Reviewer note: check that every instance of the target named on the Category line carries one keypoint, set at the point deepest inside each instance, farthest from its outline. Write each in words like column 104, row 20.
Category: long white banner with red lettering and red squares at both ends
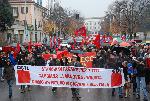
column 72, row 77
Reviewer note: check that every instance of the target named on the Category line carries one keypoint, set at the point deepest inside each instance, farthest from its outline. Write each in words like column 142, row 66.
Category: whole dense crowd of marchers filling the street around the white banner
column 133, row 62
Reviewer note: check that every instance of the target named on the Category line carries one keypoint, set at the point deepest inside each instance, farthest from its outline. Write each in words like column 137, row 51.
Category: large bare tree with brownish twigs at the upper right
column 126, row 15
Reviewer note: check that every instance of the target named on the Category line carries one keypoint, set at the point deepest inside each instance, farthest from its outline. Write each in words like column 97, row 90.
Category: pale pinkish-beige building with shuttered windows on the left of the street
column 28, row 24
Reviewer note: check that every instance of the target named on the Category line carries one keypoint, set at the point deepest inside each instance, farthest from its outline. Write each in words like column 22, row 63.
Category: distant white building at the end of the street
column 93, row 25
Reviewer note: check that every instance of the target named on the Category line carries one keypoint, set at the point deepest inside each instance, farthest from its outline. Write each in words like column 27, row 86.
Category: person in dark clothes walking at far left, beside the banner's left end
column 9, row 75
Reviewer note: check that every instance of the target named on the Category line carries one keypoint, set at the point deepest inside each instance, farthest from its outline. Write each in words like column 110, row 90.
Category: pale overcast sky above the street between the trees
column 88, row 8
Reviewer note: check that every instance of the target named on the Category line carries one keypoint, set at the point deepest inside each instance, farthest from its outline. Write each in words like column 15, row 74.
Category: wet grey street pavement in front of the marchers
column 39, row 93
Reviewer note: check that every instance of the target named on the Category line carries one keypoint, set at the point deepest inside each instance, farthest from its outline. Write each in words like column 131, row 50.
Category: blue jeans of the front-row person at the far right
column 141, row 86
